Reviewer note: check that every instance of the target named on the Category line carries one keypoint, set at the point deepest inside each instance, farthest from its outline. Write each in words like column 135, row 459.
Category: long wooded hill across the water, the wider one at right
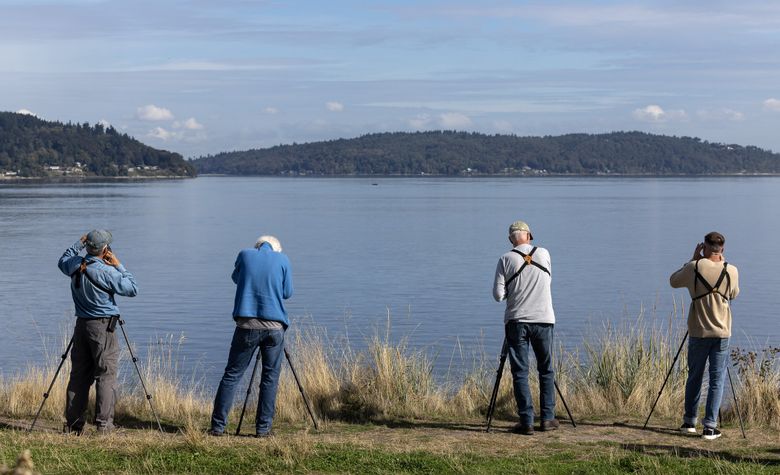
column 460, row 153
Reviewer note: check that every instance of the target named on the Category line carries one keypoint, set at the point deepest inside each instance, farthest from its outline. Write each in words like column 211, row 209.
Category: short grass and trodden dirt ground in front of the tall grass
column 403, row 446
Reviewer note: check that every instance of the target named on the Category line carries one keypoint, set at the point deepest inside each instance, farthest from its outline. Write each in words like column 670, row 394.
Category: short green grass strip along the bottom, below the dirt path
column 147, row 452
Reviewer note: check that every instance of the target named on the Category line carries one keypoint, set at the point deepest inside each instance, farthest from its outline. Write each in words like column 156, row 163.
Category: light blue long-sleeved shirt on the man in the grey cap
column 90, row 301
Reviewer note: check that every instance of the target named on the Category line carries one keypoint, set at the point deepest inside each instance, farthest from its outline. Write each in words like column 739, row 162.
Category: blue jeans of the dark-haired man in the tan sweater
column 699, row 351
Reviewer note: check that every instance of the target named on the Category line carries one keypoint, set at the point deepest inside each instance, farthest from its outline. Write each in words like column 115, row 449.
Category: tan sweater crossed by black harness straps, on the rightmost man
column 709, row 316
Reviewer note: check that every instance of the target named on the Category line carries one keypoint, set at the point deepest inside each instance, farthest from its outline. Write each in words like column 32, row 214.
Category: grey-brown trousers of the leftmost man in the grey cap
column 94, row 358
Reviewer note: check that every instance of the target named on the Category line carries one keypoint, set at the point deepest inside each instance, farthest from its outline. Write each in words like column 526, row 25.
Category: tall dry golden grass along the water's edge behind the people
column 617, row 374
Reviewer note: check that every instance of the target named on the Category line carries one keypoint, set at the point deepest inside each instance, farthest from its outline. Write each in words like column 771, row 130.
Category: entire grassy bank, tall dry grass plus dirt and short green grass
column 382, row 410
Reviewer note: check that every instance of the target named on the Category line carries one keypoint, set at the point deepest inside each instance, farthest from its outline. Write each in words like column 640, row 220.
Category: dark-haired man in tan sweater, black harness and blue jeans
column 712, row 283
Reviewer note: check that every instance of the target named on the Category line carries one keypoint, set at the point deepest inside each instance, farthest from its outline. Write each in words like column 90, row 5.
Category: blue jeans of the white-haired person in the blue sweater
column 271, row 343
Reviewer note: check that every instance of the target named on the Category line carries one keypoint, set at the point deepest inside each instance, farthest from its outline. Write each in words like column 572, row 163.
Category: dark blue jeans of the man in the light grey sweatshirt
column 540, row 337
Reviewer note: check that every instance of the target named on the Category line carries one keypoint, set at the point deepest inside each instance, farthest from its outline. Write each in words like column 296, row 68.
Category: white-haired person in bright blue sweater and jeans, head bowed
column 263, row 281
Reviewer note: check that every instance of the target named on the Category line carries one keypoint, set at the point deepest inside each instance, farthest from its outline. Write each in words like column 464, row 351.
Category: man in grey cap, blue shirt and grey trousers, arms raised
column 95, row 279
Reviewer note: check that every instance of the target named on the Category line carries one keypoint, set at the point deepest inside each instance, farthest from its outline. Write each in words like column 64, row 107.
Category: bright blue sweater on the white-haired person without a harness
column 264, row 280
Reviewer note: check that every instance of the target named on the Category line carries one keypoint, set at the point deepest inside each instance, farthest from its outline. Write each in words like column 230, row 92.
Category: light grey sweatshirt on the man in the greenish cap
column 528, row 298
